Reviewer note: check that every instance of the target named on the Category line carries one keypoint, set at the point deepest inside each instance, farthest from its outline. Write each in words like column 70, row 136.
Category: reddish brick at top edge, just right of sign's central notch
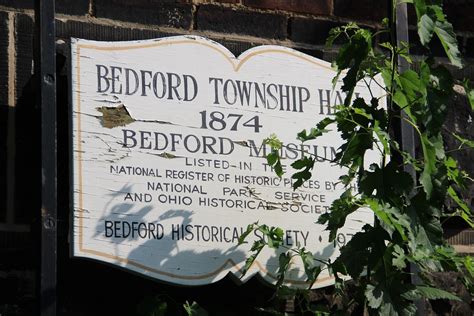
column 317, row 7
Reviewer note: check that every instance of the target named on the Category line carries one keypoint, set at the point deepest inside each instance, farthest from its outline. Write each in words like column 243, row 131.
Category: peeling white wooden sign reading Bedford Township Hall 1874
column 169, row 165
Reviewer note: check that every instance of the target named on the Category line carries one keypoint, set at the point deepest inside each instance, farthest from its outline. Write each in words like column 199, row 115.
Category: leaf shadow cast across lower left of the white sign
column 158, row 245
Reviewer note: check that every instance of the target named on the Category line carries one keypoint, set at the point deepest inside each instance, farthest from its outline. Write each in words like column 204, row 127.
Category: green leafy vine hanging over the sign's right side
column 408, row 211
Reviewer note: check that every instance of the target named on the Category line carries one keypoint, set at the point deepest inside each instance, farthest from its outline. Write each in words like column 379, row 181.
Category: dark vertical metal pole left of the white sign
column 46, row 74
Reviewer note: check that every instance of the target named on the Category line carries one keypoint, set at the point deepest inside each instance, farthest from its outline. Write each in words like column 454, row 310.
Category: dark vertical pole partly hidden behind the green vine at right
column 407, row 133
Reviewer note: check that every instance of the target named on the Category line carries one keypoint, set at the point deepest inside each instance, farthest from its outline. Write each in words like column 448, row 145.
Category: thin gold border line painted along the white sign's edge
column 236, row 65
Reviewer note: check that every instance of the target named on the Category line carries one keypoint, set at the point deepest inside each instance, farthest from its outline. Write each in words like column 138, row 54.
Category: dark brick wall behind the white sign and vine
column 237, row 24
